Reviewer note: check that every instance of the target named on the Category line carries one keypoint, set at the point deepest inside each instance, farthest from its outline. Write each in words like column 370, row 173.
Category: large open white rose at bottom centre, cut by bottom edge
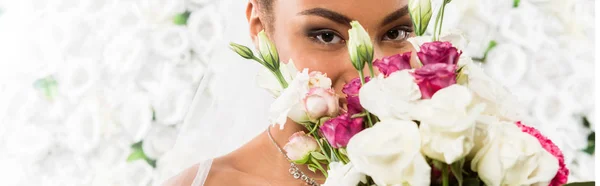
column 390, row 152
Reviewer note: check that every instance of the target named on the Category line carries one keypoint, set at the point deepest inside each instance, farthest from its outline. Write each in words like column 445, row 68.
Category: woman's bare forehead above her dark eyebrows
column 365, row 11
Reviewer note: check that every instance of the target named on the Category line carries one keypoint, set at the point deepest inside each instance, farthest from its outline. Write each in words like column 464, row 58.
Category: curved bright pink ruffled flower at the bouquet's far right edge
column 563, row 173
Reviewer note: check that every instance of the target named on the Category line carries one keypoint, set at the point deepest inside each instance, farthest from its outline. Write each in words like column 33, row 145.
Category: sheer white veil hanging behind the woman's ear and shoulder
column 228, row 109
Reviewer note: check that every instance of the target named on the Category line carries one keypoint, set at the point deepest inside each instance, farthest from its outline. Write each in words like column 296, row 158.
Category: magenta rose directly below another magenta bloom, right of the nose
column 434, row 77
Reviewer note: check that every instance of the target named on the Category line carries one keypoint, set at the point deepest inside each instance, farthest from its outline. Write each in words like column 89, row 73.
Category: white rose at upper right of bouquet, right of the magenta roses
column 499, row 101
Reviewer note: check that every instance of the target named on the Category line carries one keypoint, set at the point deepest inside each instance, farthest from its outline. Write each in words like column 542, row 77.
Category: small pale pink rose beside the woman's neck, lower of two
column 300, row 146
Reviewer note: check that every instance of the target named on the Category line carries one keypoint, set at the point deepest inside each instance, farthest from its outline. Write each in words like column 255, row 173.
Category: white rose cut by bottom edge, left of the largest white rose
column 343, row 175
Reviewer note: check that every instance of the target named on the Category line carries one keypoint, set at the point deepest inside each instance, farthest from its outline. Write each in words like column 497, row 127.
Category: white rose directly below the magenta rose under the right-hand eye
column 391, row 97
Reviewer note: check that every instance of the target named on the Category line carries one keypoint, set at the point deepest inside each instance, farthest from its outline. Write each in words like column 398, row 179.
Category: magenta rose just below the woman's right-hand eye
column 391, row 64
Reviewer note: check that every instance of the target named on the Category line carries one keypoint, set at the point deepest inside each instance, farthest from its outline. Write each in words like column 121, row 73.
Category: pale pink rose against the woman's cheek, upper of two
column 321, row 102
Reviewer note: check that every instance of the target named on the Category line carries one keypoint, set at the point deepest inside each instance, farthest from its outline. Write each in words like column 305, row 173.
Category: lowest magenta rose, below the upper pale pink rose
column 339, row 130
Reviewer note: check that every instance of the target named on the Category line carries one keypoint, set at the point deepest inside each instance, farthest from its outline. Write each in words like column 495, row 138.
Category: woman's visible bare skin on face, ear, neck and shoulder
column 313, row 33
